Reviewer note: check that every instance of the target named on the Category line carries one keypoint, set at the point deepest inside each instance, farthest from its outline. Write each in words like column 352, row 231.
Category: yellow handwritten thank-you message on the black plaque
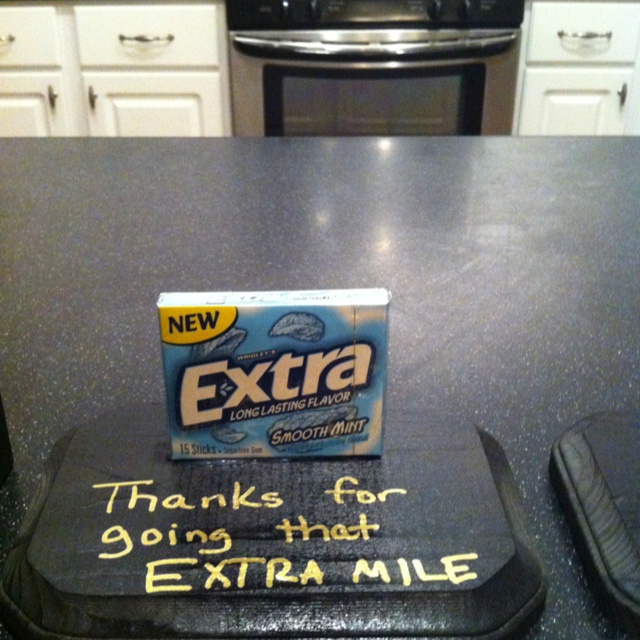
column 230, row 573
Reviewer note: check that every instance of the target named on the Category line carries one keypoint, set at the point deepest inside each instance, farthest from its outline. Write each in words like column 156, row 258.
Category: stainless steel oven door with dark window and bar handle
column 373, row 83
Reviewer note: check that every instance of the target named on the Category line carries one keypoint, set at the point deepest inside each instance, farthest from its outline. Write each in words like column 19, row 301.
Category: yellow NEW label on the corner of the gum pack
column 190, row 325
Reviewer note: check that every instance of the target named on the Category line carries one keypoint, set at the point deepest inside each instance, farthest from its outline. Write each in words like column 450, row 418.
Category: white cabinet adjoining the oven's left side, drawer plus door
column 152, row 72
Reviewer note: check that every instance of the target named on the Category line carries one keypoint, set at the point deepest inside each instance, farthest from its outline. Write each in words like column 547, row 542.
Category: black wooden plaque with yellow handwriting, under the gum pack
column 425, row 541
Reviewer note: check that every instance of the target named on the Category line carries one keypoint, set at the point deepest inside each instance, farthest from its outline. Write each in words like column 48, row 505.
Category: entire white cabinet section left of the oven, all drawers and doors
column 113, row 70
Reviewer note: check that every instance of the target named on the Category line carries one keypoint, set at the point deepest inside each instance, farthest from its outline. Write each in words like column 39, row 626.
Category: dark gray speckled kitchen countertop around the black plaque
column 513, row 263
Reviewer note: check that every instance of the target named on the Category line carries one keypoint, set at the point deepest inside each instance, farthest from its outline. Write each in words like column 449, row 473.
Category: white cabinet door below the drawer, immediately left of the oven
column 154, row 104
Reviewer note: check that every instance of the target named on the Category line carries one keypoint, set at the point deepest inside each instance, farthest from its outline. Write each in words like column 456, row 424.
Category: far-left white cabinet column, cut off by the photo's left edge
column 32, row 99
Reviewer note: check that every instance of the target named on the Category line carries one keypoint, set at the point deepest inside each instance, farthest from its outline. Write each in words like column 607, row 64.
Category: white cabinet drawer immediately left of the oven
column 147, row 36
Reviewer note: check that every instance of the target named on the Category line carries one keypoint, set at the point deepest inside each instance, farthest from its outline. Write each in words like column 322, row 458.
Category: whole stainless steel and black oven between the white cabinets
column 373, row 67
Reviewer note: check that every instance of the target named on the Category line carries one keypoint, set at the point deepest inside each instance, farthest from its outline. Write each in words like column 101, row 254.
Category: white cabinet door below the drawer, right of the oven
column 568, row 101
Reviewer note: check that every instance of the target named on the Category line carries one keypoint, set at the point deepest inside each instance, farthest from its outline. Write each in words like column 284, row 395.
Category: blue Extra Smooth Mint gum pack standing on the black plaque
column 275, row 374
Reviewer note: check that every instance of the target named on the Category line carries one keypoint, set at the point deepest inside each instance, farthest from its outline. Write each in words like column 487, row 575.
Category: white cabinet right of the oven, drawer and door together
column 579, row 68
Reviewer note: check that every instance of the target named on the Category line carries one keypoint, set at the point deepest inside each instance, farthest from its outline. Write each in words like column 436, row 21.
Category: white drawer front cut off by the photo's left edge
column 28, row 37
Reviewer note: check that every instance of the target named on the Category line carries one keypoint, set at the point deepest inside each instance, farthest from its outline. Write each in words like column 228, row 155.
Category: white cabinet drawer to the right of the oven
column 584, row 32
